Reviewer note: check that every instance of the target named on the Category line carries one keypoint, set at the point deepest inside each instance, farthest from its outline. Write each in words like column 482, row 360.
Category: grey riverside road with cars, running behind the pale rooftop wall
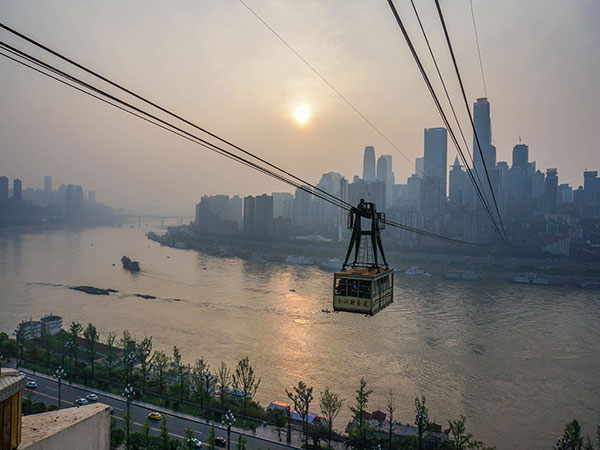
column 47, row 392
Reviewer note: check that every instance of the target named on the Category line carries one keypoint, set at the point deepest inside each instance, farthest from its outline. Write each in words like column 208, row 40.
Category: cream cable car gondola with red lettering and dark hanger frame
column 364, row 286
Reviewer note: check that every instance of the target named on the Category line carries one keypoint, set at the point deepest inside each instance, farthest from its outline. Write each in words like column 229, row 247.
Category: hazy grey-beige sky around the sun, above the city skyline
column 215, row 63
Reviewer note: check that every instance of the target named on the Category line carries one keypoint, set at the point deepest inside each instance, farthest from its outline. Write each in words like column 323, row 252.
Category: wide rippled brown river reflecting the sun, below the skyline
column 518, row 361
